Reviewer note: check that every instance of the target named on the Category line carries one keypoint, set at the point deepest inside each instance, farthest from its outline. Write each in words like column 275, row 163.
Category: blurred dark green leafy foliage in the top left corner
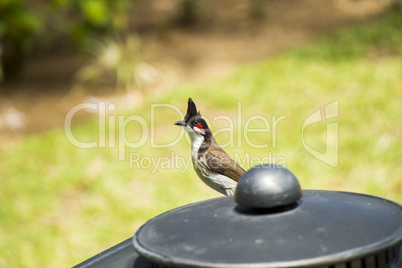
column 27, row 24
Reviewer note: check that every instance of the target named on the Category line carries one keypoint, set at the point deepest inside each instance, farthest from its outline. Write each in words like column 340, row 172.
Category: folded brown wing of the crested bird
column 219, row 161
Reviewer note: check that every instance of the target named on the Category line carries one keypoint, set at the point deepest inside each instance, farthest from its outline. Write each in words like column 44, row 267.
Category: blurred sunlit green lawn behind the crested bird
column 61, row 204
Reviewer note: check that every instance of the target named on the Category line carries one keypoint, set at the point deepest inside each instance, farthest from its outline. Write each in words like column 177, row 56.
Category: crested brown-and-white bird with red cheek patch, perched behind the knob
column 211, row 163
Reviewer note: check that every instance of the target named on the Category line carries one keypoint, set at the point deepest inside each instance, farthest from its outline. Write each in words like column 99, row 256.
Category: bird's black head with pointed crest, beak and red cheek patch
column 193, row 120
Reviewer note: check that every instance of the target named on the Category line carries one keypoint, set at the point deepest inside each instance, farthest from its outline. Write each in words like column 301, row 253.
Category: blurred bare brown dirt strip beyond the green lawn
column 226, row 34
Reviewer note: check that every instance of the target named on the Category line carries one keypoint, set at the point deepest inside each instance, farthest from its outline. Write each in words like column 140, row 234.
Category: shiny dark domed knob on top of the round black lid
column 267, row 186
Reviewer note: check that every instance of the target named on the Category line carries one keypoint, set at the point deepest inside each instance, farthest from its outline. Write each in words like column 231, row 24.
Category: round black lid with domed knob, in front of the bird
column 322, row 228
